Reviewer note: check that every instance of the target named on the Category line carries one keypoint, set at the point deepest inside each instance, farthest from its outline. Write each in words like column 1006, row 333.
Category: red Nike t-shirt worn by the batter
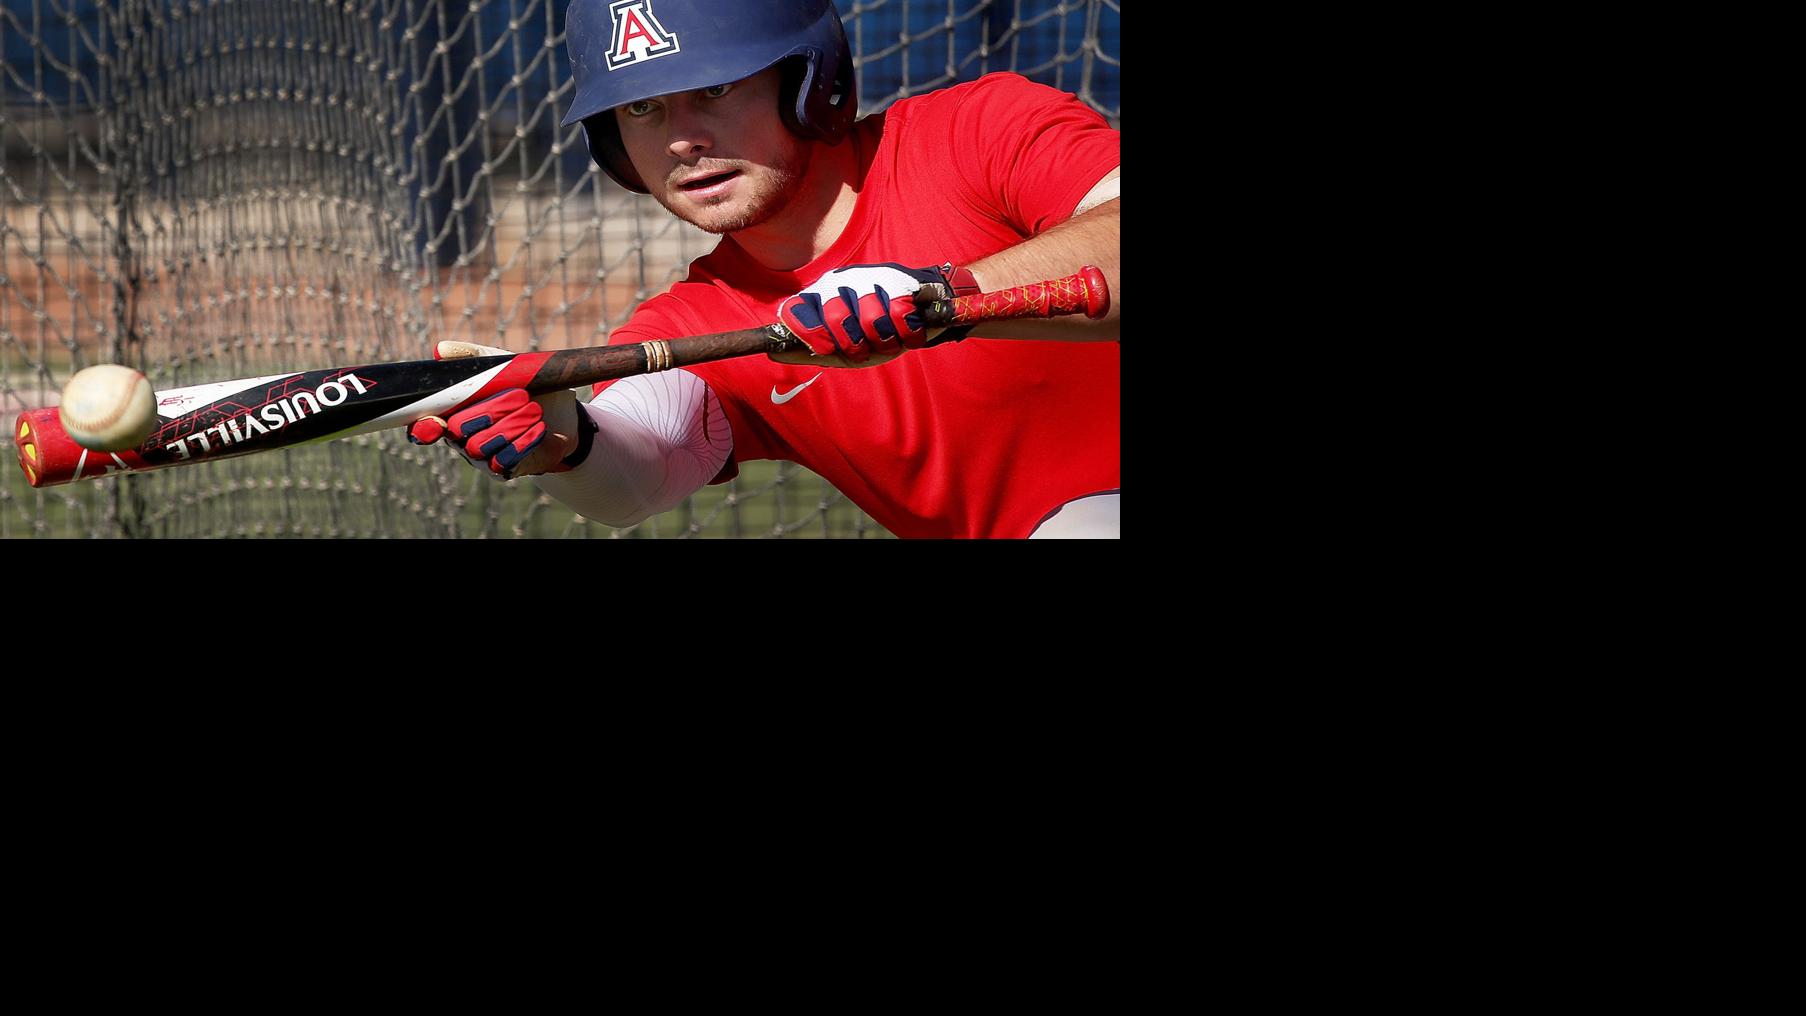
column 982, row 438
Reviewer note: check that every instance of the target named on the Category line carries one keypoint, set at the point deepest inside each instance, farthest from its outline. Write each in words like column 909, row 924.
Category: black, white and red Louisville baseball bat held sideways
column 227, row 420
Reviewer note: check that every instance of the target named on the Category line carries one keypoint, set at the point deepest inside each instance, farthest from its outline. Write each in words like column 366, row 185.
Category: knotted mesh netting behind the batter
column 234, row 189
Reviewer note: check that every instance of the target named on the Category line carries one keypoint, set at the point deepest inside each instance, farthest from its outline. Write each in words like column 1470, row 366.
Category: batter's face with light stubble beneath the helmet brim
column 718, row 158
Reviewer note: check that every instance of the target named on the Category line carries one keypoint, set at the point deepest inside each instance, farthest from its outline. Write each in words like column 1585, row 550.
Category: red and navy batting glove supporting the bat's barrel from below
column 507, row 434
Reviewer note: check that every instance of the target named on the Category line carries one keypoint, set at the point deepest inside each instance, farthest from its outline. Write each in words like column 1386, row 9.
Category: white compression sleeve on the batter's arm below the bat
column 658, row 439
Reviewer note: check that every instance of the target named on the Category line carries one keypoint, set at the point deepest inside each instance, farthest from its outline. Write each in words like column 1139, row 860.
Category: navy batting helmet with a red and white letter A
column 624, row 51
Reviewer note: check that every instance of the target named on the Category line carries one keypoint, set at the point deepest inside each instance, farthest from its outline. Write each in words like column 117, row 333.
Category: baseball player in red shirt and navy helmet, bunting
column 740, row 116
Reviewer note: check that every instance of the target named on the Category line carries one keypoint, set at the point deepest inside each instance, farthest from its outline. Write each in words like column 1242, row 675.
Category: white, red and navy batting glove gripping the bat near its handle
column 870, row 309
